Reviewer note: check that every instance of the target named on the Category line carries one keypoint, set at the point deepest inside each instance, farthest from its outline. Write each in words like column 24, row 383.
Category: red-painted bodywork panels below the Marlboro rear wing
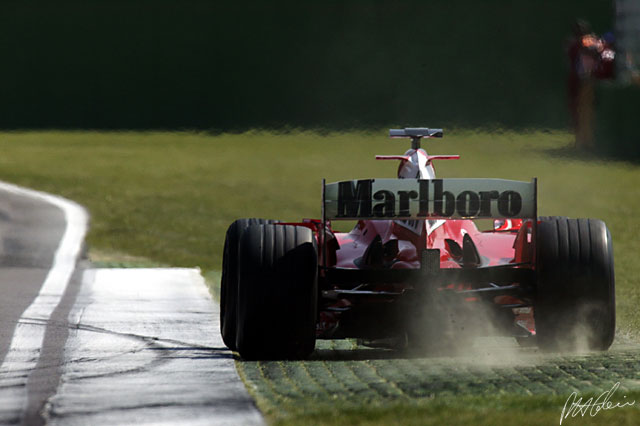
column 509, row 243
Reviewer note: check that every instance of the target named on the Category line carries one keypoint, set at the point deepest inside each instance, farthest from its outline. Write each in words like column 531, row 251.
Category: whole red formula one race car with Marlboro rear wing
column 416, row 270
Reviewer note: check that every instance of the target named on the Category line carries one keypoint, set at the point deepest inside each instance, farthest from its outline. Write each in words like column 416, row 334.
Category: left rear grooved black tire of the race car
column 277, row 292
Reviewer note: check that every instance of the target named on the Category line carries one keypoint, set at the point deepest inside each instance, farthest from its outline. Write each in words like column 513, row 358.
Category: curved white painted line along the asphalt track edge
column 28, row 336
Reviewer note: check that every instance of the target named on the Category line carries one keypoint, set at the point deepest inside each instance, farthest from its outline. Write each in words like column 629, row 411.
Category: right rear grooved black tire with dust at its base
column 575, row 300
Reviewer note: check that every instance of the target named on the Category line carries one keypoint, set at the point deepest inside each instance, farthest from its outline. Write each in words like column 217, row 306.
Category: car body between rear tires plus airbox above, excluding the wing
column 368, row 277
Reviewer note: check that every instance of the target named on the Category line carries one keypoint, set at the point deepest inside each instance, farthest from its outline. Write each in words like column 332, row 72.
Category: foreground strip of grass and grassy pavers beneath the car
column 344, row 383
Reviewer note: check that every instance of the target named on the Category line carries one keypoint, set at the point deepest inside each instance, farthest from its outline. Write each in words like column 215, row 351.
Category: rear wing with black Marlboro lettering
column 429, row 199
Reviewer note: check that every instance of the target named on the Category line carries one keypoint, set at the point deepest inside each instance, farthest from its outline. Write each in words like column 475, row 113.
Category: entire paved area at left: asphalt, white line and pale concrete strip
column 101, row 346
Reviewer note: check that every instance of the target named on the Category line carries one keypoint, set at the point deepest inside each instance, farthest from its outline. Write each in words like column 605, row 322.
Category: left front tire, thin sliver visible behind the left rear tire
column 229, row 281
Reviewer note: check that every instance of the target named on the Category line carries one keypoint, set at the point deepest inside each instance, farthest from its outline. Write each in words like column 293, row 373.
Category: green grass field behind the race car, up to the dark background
column 169, row 197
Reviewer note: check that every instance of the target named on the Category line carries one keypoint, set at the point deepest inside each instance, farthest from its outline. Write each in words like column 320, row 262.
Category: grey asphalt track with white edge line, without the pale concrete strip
column 37, row 263
